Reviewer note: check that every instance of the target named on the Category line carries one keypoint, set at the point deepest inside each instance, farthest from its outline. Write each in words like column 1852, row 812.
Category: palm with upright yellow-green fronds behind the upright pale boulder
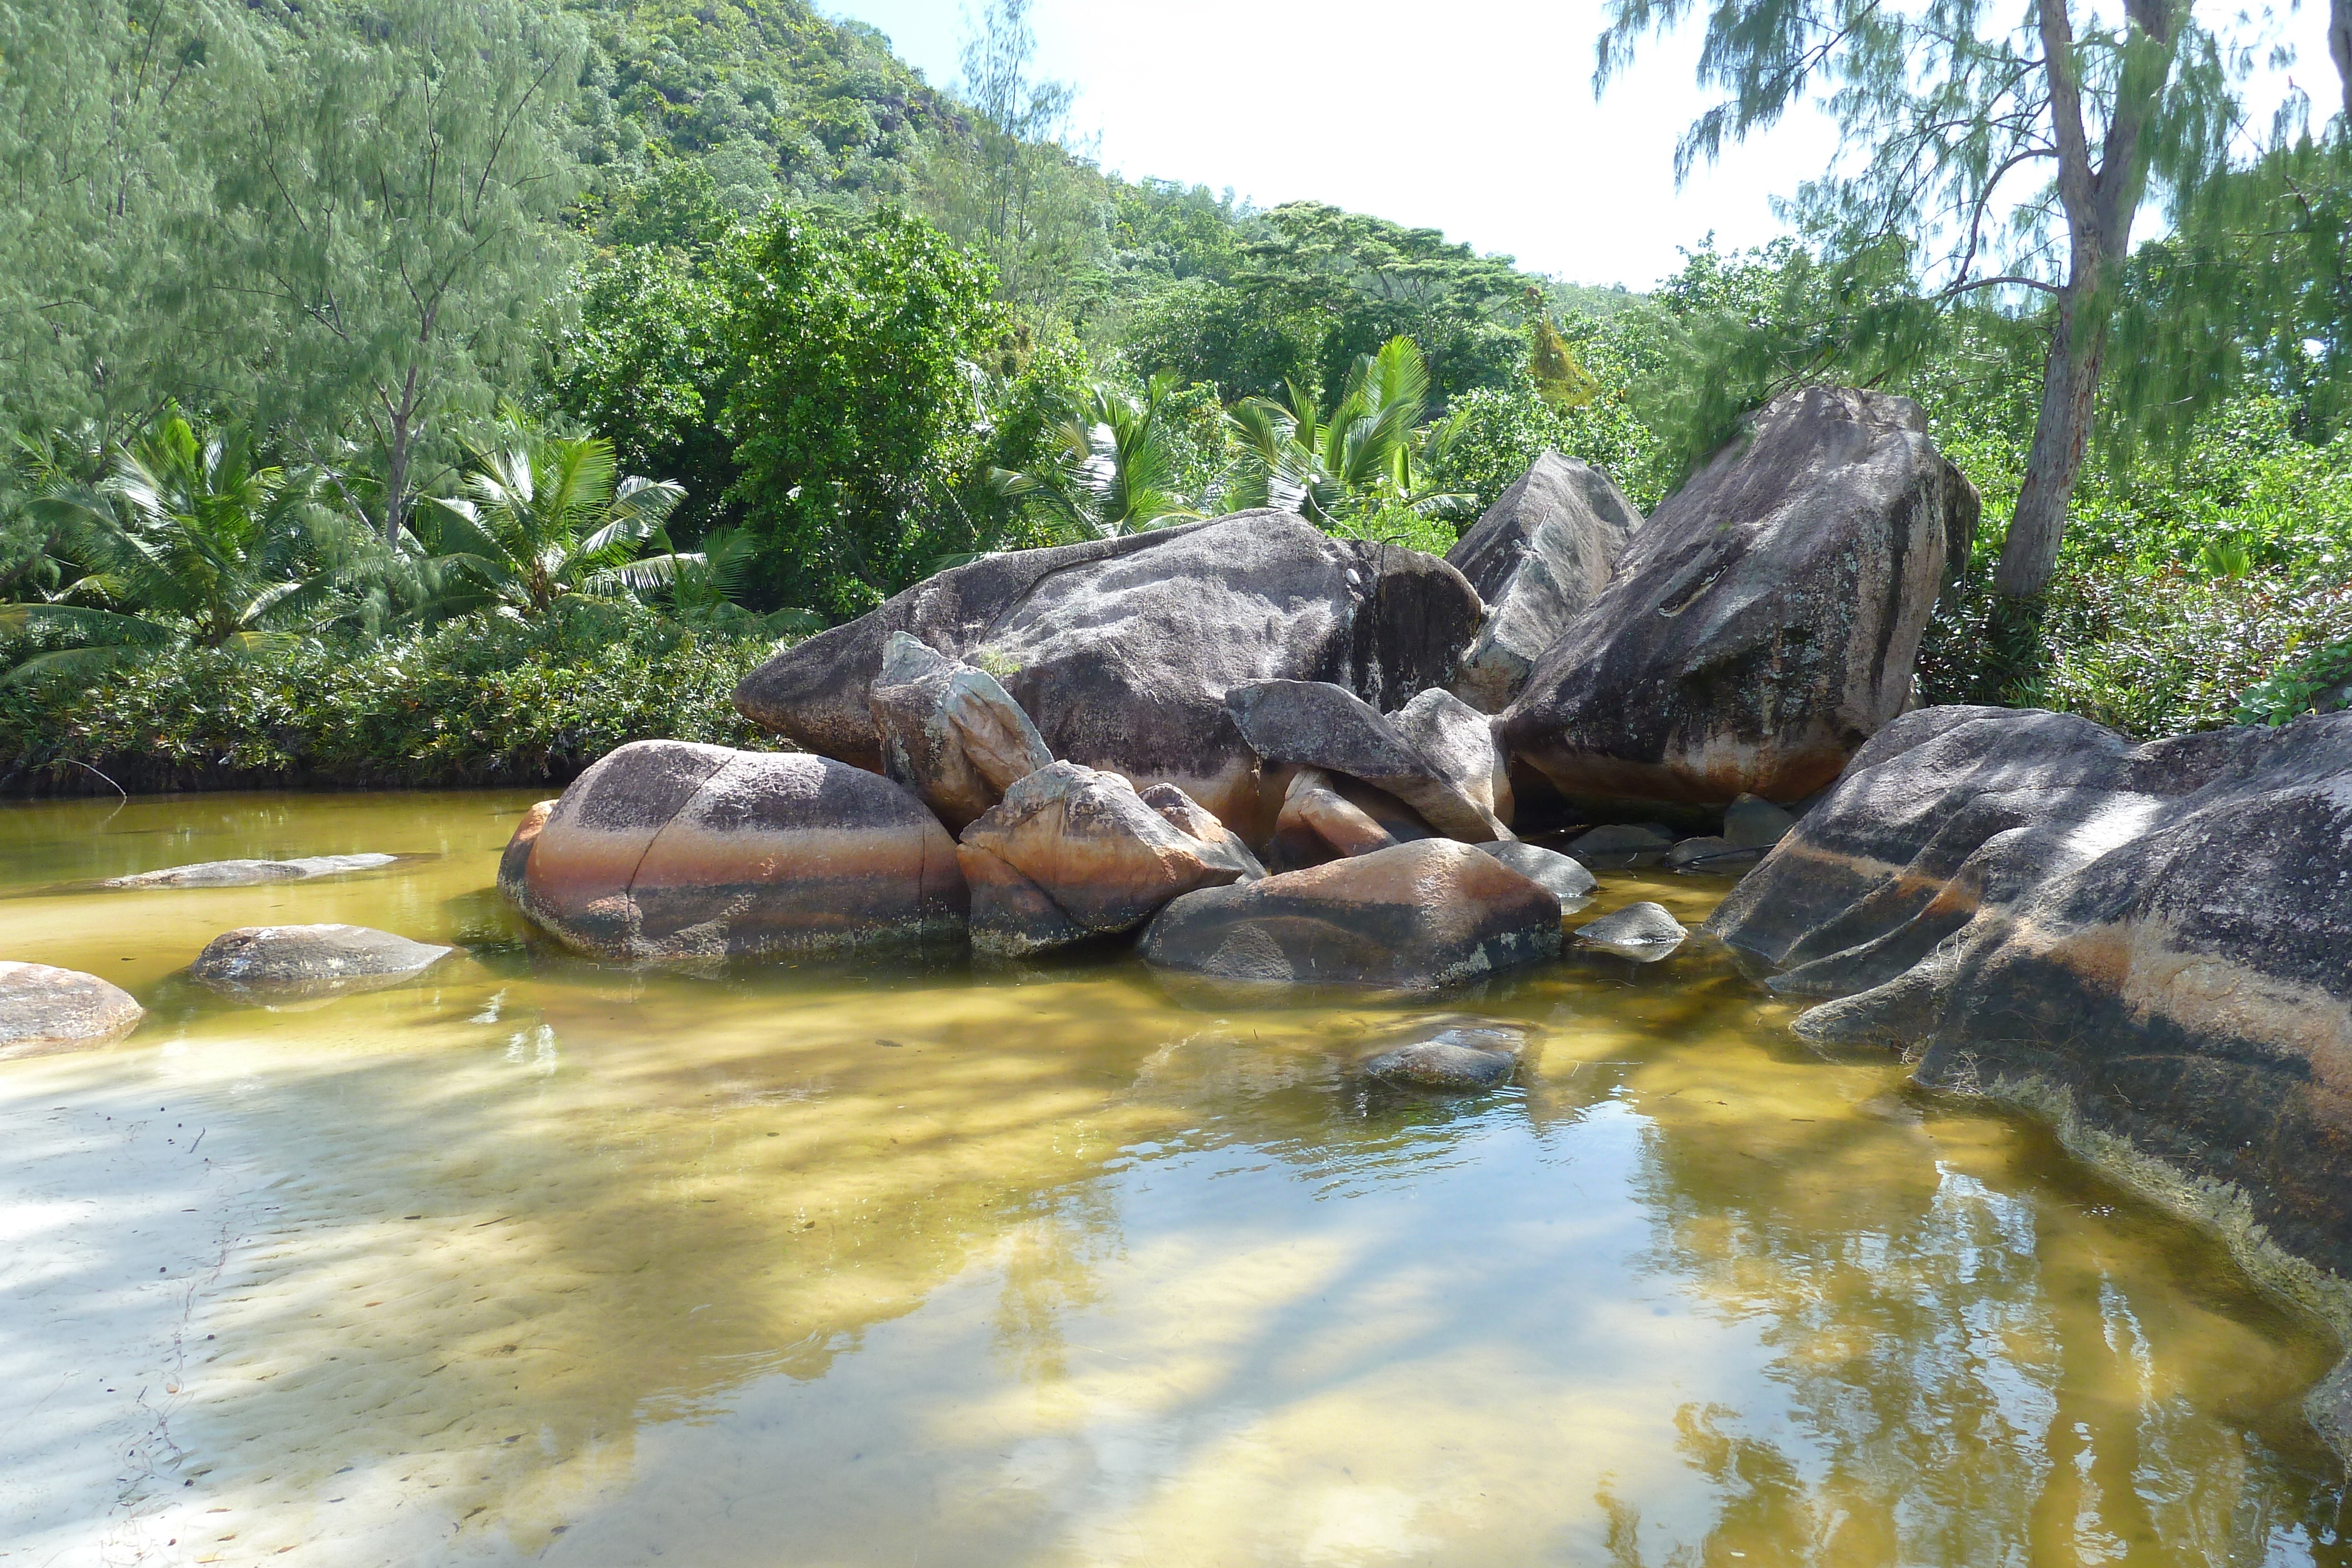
column 1372, row 455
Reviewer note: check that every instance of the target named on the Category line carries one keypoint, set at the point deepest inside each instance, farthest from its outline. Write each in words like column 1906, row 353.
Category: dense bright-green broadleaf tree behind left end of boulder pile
column 855, row 403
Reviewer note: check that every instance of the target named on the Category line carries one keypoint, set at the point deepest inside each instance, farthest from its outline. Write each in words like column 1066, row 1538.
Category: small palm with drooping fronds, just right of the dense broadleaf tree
column 1111, row 464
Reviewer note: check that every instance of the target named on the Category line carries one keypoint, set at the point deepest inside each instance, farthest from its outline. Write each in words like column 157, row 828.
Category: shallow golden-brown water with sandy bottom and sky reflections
column 584, row 1266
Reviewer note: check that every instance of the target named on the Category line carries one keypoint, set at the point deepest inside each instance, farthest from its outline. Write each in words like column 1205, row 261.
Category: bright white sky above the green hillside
column 1290, row 100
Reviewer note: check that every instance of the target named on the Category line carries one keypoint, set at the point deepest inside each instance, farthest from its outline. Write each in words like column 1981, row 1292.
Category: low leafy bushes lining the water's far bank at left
column 483, row 699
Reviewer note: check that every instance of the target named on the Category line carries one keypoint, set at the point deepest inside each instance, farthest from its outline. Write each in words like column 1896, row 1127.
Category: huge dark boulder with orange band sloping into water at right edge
column 2149, row 944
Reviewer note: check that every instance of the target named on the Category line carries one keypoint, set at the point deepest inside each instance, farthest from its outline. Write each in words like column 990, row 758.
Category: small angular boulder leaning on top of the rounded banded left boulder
column 949, row 732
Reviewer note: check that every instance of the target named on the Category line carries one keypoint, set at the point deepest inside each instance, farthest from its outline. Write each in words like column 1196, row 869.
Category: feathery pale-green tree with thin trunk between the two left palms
column 389, row 210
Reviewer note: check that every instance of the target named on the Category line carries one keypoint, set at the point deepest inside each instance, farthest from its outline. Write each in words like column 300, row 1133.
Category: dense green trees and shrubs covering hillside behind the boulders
column 425, row 391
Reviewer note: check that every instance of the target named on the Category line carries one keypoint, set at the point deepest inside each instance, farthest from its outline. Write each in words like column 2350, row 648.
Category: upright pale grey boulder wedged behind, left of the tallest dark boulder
column 1539, row 556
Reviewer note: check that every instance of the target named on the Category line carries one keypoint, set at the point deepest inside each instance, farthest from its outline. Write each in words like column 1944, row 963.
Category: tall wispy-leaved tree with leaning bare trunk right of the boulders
column 2007, row 142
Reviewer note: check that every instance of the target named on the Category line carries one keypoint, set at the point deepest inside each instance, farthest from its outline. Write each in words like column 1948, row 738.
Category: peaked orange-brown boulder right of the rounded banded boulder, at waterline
column 1071, row 855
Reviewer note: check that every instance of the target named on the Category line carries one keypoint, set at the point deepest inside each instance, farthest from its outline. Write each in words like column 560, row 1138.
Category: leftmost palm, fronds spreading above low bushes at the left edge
column 187, row 537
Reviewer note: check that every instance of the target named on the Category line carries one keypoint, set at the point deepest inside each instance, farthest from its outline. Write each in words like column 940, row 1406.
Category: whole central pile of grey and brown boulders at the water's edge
column 1274, row 756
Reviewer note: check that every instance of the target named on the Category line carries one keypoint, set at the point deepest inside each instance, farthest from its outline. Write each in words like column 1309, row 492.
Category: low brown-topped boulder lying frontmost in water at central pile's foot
column 1408, row 918
